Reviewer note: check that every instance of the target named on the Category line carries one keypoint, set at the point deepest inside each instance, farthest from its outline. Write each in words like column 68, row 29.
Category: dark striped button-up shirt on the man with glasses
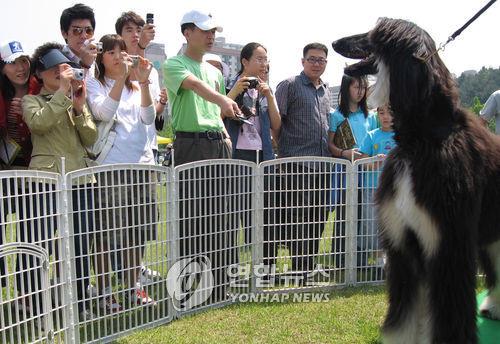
column 304, row 113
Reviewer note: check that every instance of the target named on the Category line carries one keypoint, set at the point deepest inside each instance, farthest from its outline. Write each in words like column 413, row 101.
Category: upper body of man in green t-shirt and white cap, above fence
column 196, row 93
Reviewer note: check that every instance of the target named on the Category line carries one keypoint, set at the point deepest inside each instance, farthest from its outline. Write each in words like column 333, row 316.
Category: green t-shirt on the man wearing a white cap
column 190, row 112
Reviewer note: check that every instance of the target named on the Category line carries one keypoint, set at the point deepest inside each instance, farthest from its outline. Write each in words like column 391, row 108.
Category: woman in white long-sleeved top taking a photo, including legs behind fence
column 112, row 96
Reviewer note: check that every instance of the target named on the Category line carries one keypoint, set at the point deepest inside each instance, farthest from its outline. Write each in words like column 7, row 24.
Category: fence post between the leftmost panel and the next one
column 67, row 272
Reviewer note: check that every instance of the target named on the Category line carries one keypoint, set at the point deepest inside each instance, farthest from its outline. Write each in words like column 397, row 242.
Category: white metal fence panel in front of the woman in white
column 120, row 248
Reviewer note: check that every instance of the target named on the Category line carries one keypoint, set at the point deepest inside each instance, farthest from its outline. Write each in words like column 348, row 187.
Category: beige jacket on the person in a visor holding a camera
column 56, row 132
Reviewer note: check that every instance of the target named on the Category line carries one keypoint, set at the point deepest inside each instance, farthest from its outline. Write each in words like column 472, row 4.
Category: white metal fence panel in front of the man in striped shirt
column 303, row 245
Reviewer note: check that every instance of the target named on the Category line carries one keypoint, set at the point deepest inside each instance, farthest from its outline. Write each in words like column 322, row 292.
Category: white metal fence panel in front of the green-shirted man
column 215, row 222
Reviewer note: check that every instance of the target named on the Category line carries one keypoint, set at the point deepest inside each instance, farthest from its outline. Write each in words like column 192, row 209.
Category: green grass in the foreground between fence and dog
column 352, row 315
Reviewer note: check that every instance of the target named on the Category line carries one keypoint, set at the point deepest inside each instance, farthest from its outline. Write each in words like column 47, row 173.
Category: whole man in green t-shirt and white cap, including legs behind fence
column 196, row 93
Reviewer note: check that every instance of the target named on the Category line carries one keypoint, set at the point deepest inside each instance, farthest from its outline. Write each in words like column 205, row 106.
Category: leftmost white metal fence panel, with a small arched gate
column 32, row 271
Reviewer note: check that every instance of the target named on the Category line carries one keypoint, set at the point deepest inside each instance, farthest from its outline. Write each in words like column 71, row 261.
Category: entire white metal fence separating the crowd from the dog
column 94, row 254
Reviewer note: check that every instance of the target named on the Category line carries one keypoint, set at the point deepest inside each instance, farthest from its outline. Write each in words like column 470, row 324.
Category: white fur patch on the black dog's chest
column 401, row 213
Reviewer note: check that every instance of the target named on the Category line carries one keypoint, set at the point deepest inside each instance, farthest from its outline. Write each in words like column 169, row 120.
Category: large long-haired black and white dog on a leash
column 439, row 195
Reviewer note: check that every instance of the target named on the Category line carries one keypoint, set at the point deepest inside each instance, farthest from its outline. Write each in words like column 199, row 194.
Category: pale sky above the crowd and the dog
column 284, row 27
